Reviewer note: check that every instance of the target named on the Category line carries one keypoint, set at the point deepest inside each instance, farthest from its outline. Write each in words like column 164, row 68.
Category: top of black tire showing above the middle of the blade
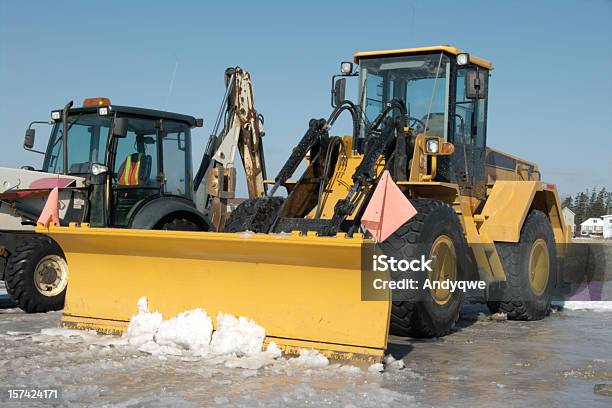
column 256, row 215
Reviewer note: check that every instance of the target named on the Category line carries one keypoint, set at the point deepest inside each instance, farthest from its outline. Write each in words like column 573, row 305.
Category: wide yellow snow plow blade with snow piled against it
column 304, row 290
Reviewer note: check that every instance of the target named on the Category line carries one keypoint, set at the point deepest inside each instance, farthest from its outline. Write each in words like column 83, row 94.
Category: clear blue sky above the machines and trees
column 550, row 95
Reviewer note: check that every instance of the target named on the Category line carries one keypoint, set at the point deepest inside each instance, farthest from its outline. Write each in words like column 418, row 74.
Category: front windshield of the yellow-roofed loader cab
column 421, row 81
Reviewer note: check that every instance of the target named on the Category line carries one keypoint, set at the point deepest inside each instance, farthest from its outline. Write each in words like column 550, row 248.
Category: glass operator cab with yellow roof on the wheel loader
column 445, row 92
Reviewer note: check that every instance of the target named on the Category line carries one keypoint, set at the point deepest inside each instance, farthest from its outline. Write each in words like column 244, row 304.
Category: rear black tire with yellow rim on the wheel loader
column 522, row 297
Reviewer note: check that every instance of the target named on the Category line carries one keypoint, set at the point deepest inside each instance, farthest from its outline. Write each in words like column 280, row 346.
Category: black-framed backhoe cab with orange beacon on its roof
column 144, row 153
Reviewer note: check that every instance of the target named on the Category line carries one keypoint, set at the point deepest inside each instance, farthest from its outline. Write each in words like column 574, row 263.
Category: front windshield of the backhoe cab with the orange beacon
column 87, row 141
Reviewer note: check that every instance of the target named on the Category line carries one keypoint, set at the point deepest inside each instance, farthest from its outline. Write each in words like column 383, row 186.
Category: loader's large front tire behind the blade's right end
column 435, row 223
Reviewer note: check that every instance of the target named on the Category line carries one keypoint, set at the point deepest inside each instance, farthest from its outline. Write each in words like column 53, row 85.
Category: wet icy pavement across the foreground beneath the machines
column 555, row 362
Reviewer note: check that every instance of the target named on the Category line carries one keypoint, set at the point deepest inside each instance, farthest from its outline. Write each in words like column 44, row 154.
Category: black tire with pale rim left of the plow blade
column 37, row 275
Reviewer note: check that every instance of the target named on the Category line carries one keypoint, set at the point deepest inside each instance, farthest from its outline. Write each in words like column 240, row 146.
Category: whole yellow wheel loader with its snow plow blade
column 300, row 265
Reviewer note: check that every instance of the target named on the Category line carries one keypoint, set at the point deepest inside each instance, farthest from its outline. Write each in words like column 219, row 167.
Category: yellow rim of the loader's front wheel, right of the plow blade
column 444, row 267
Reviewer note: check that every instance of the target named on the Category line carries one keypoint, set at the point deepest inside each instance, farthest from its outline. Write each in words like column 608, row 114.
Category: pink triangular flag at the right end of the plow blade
column 387, row 210
